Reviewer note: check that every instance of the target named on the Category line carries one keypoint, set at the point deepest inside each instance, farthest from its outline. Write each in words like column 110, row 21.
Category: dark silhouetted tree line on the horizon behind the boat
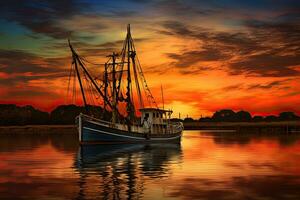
column 11, row 114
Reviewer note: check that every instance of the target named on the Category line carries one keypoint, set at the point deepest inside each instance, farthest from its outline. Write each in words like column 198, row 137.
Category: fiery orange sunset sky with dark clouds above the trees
column 208, row 55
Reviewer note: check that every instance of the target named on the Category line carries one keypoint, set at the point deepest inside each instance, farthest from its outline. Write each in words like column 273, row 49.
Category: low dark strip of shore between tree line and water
column 255, row 127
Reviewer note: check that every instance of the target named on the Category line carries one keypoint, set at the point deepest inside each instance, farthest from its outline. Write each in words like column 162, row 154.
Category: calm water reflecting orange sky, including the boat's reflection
column 205, row 166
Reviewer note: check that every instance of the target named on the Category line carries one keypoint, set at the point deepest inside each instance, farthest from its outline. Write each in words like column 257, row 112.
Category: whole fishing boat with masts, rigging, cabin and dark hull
column 130, row 119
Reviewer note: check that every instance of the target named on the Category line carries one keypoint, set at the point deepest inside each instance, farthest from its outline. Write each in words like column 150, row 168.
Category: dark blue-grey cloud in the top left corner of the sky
column 42, row 16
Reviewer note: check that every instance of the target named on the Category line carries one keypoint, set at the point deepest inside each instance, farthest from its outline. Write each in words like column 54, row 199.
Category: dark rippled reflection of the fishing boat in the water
column 119, row 171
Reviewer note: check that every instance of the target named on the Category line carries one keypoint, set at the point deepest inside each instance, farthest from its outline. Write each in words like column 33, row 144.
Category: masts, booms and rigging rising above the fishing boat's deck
column 112, row 94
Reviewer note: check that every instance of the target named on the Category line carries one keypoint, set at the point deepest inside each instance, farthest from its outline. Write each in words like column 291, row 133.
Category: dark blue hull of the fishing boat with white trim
column 92, row 132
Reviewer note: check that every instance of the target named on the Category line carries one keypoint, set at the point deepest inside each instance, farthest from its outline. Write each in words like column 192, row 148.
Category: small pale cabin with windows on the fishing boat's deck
column 155, row 120
